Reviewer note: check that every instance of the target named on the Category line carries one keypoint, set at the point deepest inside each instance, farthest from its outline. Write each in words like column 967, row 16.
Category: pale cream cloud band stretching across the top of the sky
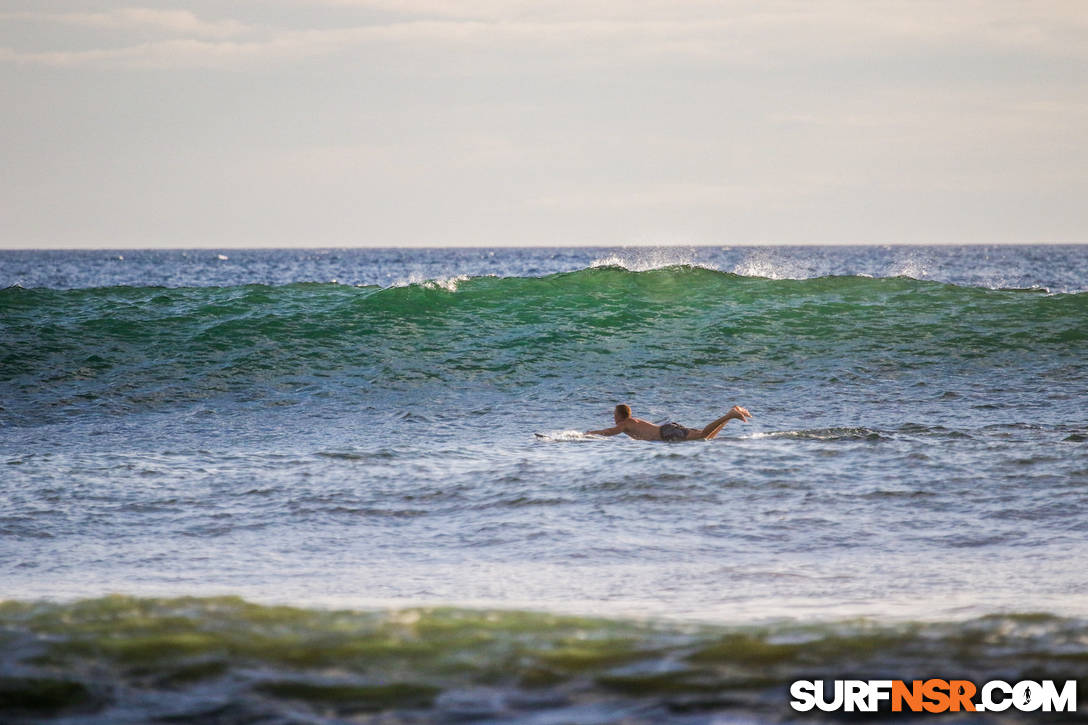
column 591, row 34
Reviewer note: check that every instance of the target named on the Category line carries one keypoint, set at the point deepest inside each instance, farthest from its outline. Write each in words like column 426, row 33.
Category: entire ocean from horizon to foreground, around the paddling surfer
column 352, row 486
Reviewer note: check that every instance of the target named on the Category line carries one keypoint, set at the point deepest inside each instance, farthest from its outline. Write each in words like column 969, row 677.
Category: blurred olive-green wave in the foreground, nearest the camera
column 188, row 659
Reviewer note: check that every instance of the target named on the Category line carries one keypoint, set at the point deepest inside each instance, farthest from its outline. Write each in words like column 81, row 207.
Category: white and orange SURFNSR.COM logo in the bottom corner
column 933, row 696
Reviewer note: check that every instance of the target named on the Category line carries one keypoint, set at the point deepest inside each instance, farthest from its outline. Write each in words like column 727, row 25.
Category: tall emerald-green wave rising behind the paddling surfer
column 123, row 350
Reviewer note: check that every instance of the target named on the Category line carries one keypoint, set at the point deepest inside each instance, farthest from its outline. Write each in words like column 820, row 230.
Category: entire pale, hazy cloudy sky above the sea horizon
column 263, row 124
